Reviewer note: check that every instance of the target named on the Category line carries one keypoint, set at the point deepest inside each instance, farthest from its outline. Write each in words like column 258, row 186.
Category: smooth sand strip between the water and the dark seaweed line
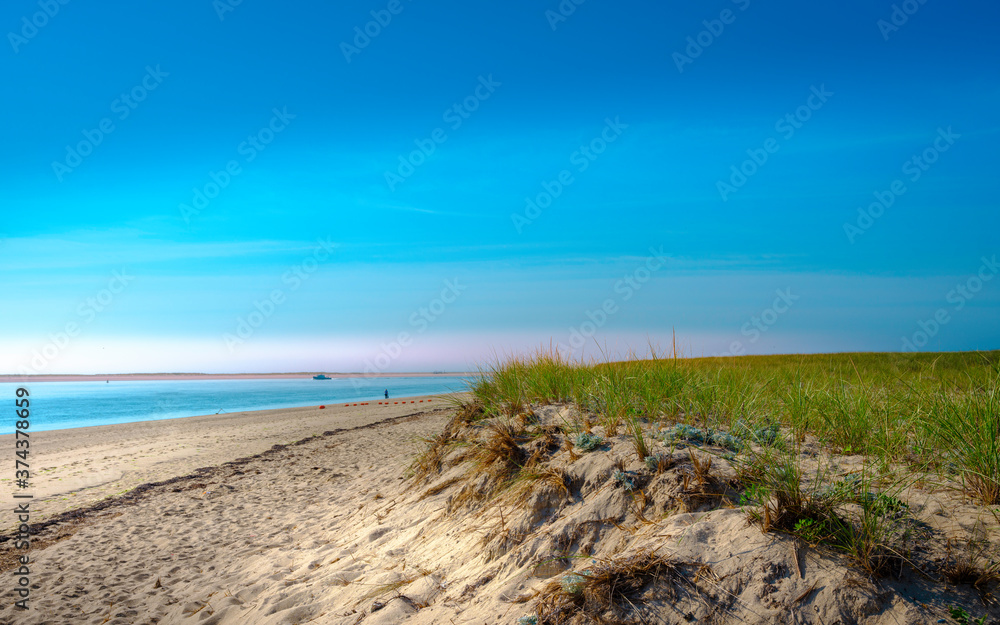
column 78, row 467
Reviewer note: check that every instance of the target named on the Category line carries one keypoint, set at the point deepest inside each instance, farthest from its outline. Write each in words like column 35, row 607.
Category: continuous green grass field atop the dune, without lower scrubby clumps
column 929, row 410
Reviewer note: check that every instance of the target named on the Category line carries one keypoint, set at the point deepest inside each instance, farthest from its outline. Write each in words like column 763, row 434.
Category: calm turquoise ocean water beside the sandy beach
column 59, row 405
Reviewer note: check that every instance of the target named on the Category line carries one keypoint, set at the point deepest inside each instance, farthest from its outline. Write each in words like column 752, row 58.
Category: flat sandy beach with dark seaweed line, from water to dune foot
column 86, row 496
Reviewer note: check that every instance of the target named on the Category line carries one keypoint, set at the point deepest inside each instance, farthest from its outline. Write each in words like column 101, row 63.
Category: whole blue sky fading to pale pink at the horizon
column 369, row 193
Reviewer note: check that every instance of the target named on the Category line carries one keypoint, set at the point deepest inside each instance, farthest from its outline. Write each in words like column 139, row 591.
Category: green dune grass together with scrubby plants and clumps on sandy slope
column 899, row 416
